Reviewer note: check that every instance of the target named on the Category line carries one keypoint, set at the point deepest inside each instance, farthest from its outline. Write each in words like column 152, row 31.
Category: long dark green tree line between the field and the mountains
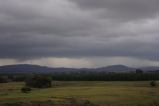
column 85, row 76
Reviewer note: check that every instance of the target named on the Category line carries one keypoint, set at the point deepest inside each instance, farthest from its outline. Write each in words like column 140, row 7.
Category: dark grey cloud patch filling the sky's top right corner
column 122, row 9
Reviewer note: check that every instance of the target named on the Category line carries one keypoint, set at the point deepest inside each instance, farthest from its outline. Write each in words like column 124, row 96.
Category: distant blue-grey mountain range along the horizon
column 28, row 68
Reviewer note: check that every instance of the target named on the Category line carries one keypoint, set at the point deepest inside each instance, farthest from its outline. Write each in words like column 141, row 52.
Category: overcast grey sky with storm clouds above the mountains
column 79, row 33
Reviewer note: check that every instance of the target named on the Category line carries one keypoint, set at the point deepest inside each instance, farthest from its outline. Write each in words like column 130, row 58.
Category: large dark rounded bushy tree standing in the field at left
column 39, row 81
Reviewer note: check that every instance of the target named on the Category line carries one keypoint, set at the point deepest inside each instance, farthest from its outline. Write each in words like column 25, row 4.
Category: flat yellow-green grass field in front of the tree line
column 99, row 92
